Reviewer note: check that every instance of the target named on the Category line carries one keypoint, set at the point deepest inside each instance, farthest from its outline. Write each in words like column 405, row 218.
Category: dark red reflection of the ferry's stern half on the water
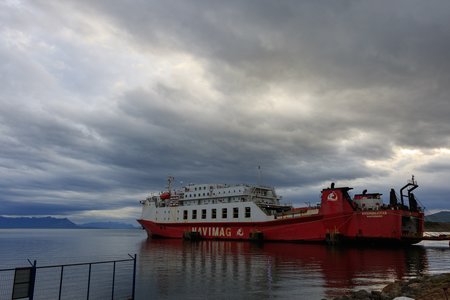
column 342, row 269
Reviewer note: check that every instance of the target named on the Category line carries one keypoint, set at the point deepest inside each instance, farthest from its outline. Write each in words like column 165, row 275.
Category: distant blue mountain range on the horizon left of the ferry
column 50, row 222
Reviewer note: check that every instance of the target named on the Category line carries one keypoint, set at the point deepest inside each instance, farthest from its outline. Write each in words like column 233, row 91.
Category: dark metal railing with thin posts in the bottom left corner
column 112, row 279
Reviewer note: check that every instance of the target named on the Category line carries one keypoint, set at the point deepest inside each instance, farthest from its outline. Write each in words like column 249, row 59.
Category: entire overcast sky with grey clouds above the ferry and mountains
column 101, row 100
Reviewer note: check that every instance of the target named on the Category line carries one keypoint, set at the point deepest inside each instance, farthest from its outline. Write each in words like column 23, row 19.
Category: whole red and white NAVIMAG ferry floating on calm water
column 255, row 213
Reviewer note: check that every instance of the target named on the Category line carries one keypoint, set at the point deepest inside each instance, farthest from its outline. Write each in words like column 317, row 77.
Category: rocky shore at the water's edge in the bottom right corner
column 435, row 287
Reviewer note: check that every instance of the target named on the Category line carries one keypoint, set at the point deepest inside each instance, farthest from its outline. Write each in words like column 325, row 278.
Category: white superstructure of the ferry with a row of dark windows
column 218, row 203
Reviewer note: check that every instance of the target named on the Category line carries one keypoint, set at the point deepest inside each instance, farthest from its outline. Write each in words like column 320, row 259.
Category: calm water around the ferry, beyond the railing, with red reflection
column 173, row 269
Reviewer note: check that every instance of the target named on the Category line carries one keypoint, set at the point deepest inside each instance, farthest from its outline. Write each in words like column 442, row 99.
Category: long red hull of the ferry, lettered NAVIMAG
column 384, row 226
